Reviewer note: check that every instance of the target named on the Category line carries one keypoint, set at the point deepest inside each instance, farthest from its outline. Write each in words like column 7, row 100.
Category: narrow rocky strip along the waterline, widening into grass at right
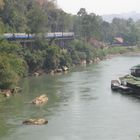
column 100, row 54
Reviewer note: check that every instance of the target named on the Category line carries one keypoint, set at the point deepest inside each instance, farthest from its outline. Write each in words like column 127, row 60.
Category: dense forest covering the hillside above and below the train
column 93, row 35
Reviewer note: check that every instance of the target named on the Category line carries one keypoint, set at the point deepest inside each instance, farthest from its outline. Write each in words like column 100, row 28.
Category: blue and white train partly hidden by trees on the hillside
column 11, row 36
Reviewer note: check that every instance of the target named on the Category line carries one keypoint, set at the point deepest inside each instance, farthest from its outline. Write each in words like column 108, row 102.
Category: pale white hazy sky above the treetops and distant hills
column 100, row 6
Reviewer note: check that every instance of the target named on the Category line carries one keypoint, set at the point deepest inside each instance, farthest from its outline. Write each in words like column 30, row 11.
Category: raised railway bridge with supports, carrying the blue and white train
column 60, row 38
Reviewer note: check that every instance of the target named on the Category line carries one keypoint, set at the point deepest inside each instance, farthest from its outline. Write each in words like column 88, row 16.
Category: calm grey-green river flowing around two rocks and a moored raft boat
column 81, row 105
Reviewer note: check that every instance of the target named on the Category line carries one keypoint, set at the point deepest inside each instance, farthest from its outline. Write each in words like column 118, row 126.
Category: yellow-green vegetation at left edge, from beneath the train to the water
column 12, row 66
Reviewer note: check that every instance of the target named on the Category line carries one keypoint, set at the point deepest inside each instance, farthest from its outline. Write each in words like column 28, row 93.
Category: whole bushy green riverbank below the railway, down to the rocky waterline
column 42, row 58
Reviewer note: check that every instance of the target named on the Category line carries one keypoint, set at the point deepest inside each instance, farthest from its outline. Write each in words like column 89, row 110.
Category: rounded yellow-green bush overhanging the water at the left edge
column 11, row 69
